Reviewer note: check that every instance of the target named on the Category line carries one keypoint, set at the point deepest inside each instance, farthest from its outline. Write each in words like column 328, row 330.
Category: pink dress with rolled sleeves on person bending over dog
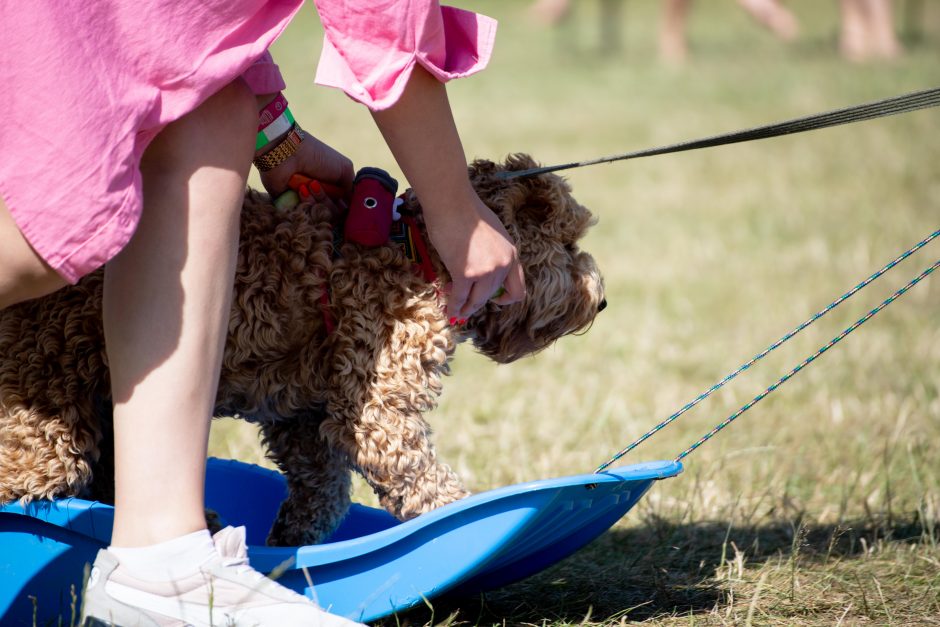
column 87, row 86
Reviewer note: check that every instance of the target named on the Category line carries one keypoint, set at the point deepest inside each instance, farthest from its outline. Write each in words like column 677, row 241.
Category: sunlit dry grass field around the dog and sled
column 820, row 506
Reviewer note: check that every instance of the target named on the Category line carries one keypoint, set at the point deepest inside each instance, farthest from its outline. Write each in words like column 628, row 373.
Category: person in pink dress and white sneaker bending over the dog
column 127, row 142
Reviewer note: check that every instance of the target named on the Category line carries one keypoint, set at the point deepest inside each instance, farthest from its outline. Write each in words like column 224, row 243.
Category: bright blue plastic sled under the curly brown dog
column 372, row 566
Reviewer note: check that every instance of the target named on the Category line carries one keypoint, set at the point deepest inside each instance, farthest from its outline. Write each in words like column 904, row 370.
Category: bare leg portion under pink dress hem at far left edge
column 23, row 273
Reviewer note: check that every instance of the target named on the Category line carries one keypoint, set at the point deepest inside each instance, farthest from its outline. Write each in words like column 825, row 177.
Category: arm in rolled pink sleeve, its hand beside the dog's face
column 393, row 57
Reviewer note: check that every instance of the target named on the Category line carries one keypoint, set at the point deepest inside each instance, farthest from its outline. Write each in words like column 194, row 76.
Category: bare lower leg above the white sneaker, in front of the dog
column 166, row 307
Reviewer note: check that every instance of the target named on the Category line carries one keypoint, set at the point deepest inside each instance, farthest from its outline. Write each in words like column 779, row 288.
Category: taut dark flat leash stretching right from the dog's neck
column 857, row 113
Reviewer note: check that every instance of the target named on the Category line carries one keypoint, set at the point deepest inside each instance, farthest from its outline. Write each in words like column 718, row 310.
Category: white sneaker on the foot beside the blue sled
column 227, row 592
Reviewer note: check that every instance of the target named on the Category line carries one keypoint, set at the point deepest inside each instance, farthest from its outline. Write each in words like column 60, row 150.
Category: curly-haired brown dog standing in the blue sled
column 328, row 401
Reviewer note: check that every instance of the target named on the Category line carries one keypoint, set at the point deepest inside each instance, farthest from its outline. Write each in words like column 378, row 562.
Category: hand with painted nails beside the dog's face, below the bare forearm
column 478, row 253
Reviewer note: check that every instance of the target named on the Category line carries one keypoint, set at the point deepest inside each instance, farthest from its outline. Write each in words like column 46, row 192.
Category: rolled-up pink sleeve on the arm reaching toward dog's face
column 371, row 47
